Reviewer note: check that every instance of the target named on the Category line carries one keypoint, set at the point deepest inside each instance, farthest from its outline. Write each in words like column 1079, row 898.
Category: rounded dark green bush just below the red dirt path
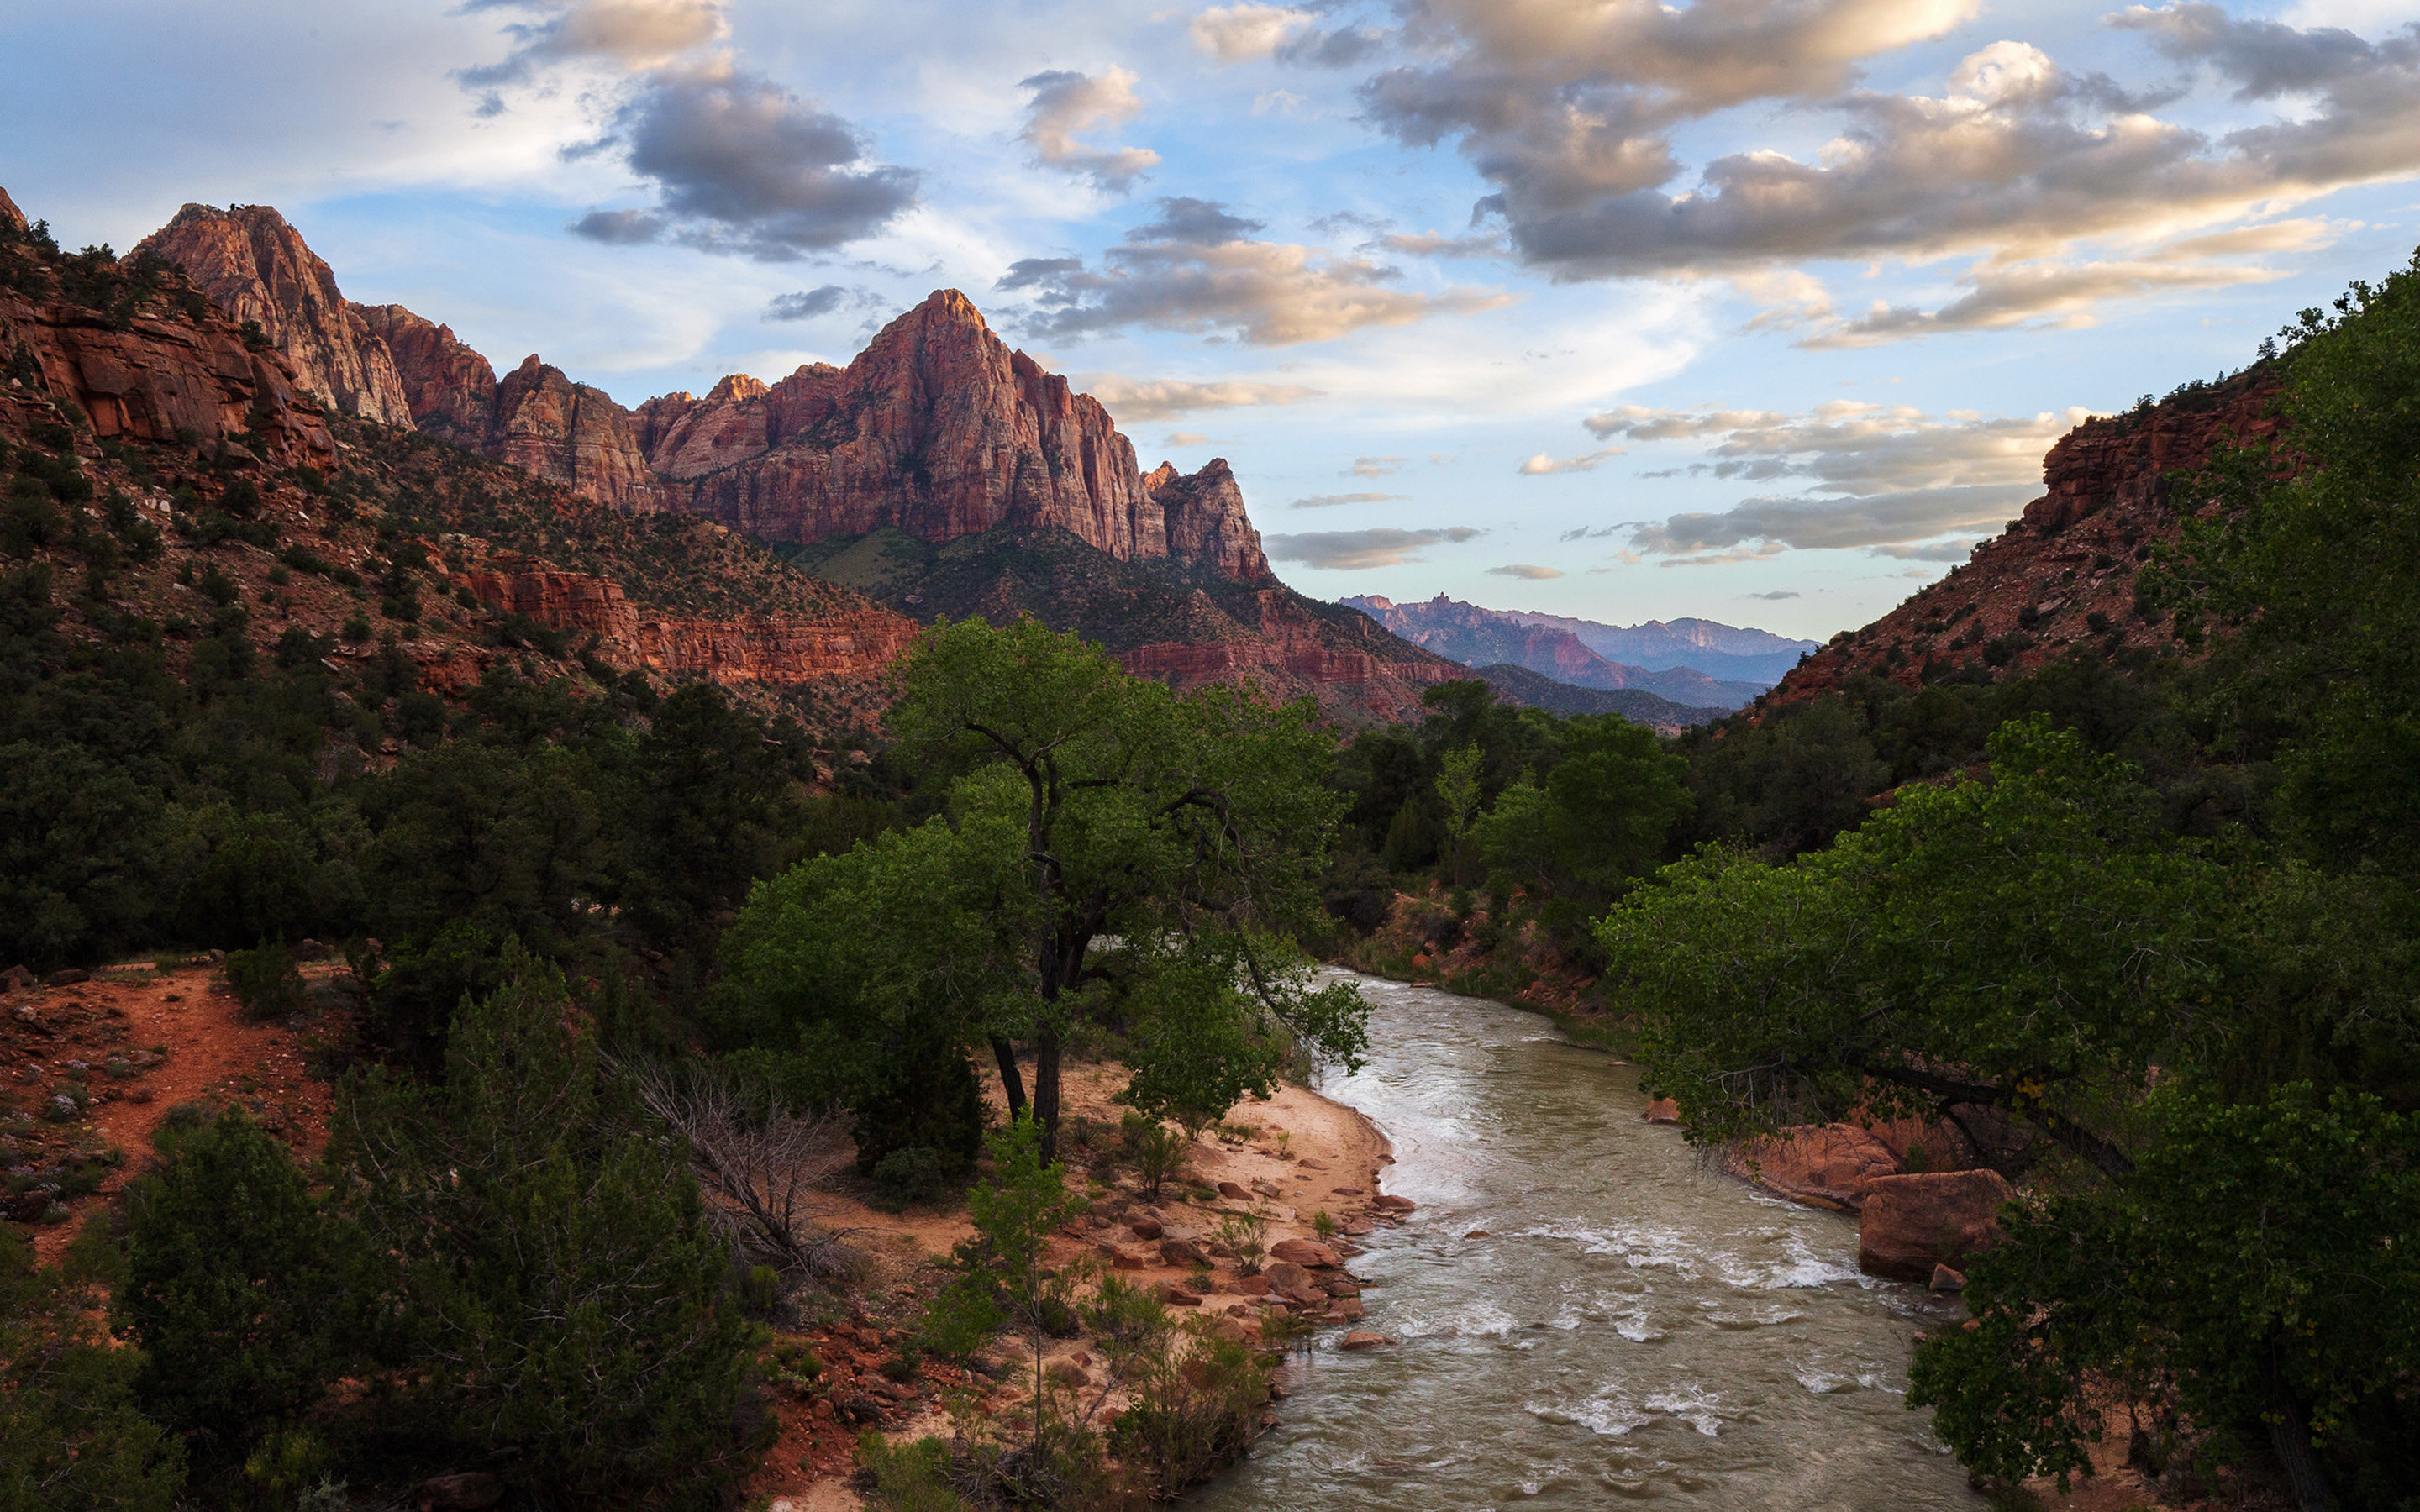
column 236, row 1288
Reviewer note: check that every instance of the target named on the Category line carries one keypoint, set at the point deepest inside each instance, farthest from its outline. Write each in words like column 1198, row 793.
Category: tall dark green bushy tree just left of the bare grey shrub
column 560, row 1283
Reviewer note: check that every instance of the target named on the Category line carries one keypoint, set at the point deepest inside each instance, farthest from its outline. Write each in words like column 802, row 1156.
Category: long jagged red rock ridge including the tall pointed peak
column 938, row 429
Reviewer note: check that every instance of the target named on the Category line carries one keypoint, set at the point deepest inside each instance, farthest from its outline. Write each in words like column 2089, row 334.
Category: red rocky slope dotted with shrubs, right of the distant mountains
column 2065, row 572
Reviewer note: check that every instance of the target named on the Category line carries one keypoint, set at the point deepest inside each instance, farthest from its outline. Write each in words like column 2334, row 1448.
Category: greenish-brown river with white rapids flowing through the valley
column 1635, row 1327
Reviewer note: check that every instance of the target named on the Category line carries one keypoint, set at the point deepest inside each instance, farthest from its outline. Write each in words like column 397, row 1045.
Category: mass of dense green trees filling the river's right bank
column 2162, row 952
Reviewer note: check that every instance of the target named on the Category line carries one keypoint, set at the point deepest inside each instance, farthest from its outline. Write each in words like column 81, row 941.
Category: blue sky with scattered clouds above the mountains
column 1753, row 311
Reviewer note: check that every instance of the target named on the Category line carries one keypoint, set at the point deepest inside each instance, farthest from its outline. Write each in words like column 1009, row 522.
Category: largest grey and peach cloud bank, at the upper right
column 1574, row 112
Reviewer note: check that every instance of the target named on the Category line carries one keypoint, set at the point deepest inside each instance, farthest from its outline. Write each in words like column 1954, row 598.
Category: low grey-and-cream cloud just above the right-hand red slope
column 1884, row 478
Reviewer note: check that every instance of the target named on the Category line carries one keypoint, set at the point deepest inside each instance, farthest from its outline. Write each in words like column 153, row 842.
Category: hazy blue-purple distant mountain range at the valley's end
column 1688, row 662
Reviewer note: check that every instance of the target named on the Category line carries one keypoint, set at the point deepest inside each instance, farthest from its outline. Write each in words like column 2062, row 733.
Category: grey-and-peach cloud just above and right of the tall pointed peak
column 1197, row 270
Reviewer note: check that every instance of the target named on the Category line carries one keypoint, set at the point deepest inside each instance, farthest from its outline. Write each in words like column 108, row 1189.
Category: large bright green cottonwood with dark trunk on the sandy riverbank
column 1107, row 846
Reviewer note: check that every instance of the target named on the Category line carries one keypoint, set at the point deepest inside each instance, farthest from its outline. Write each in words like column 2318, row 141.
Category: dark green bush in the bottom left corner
column 71, row 1431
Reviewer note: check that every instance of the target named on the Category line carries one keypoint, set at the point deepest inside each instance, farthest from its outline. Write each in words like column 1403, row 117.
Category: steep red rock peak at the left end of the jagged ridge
column 258, row 267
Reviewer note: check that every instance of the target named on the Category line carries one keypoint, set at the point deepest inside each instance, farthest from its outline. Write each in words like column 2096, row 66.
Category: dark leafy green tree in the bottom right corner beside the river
column 2254, row 1276
